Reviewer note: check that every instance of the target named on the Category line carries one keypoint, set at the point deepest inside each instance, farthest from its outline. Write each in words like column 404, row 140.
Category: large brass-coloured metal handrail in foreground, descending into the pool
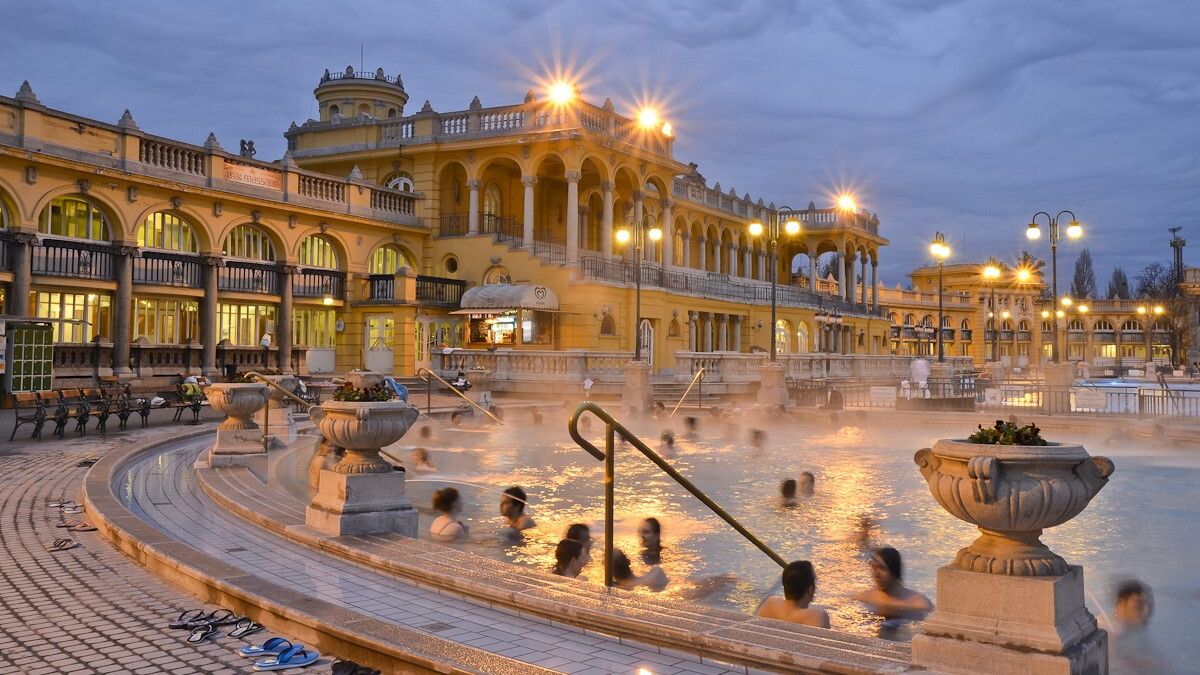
column 610, row 464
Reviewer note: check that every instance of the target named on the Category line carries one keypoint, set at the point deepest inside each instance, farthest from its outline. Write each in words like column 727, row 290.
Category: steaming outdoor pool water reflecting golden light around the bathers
column 1137, row 528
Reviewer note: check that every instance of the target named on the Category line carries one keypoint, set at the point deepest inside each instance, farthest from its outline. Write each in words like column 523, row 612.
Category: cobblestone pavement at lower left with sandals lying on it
column 88, row 610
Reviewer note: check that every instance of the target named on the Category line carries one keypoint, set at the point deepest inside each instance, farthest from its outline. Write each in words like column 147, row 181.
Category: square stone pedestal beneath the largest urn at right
column 999, row 624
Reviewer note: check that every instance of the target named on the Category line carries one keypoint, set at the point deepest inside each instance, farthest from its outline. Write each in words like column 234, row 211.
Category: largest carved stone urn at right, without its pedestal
column 1012, row 494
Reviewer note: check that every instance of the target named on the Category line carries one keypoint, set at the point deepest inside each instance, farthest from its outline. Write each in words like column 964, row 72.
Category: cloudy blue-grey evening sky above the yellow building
column 965, row 117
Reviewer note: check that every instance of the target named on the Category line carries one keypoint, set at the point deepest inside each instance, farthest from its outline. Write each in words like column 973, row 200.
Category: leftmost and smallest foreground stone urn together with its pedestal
column 239, row 439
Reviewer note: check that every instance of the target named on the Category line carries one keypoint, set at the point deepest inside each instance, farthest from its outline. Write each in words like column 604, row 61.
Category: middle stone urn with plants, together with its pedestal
column 362, row 494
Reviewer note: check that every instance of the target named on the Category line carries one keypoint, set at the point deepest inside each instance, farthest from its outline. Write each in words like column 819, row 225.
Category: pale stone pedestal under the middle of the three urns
column 362, row 504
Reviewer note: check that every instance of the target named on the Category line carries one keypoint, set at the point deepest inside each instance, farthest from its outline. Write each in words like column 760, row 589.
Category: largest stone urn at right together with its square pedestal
column 1009, row 604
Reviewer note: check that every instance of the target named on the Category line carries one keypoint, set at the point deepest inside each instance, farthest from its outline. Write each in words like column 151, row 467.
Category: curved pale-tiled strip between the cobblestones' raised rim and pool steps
column 163, row 491
